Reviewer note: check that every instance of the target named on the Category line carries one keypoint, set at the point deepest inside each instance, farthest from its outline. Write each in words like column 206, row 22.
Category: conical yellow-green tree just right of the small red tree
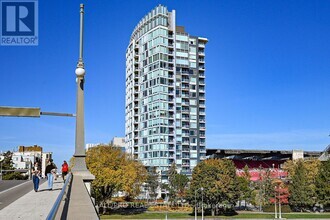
column 299, row 189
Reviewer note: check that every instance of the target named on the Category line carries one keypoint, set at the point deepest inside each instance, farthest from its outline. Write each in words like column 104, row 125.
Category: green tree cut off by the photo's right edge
column 323, row 183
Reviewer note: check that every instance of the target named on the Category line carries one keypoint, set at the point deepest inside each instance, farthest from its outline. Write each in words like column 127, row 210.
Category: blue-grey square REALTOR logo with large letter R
column 19, row 23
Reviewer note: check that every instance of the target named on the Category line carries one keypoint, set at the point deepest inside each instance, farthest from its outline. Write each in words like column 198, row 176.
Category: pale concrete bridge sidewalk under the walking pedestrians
column 33, row 205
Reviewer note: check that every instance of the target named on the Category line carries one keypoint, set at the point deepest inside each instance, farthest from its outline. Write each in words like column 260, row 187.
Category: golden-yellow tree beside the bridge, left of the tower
column 114, row 171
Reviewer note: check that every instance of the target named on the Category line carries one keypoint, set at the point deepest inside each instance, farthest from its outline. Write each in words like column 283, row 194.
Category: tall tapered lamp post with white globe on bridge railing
column 79, row 167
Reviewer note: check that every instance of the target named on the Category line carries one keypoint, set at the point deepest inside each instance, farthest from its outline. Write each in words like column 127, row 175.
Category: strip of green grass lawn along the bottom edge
column 250, row 215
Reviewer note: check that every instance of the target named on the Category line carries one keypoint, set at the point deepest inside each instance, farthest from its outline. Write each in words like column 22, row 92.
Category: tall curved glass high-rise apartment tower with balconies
column 165, row 94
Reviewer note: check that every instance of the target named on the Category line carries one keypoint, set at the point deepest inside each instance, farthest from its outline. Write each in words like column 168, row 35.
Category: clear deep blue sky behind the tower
column 267, row 73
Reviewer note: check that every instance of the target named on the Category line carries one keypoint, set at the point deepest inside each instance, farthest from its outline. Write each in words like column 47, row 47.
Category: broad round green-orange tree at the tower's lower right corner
column 218, row 180
